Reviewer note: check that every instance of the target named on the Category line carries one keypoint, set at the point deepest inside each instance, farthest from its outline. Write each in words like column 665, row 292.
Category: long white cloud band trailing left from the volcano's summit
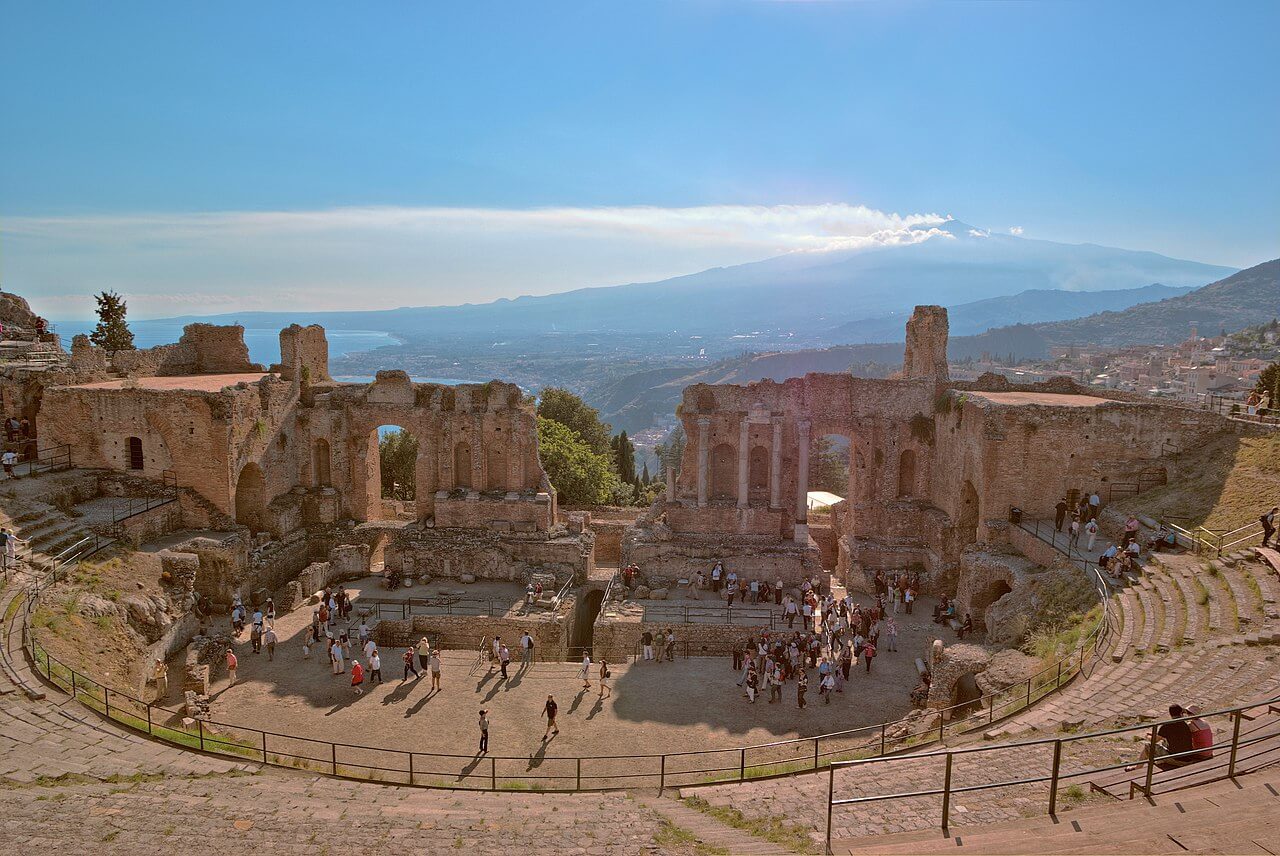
column 373, row 258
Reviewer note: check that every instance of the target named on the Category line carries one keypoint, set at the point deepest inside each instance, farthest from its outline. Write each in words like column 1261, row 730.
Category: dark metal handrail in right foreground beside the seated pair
column 1055, row 776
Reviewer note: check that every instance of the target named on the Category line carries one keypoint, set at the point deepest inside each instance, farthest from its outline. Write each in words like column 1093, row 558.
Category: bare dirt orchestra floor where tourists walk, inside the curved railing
column 655, row 707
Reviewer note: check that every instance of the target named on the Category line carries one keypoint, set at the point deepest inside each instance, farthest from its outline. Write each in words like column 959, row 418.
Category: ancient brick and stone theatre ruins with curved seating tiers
column 1048, row 772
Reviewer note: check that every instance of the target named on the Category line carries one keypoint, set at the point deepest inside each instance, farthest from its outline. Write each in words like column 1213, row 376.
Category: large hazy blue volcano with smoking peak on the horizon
column 799, row 292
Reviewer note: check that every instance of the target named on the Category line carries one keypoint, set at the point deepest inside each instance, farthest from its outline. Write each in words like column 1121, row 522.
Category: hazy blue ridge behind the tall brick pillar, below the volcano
column 1026, row 308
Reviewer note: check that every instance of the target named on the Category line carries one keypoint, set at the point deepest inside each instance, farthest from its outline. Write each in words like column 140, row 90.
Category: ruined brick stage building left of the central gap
column 284, row 450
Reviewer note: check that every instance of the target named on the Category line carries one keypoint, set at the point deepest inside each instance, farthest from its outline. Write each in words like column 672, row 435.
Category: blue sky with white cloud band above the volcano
column 252, row 155
